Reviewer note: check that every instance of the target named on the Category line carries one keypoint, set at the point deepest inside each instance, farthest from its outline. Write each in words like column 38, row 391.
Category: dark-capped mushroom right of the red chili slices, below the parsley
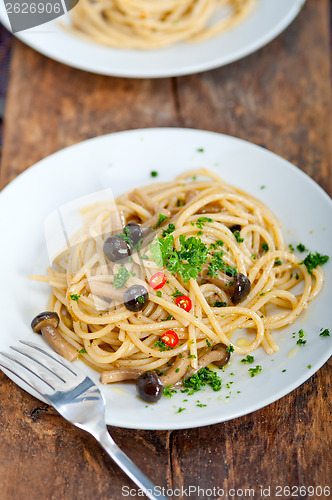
column 237, row 287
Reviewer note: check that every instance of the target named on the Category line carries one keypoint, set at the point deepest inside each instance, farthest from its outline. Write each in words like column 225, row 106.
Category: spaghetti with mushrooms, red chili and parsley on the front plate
column 225, row 264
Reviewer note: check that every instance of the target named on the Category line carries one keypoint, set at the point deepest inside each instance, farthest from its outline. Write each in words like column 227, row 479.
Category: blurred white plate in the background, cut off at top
column 269, row 19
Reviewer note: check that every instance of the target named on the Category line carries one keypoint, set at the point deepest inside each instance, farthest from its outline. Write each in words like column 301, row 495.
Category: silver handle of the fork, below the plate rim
column 129, row 467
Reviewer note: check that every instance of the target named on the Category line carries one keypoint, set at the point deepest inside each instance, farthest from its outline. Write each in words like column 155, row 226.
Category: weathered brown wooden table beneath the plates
column 278, row 97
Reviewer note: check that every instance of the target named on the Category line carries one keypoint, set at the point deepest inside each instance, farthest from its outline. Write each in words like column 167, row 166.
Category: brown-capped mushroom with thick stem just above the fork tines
column 47, row 323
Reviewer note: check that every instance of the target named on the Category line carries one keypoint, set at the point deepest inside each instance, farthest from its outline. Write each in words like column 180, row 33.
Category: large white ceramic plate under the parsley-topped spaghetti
column 124, row 160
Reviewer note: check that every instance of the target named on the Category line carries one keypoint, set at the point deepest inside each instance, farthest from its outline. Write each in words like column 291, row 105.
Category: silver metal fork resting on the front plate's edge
column 75, row 396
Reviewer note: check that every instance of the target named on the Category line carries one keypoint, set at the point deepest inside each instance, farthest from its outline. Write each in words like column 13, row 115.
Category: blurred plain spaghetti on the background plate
column 149, row 24
